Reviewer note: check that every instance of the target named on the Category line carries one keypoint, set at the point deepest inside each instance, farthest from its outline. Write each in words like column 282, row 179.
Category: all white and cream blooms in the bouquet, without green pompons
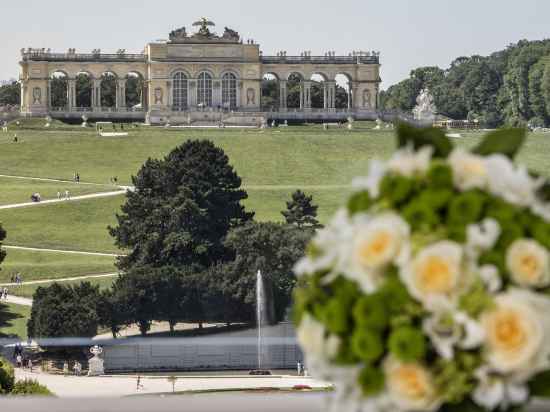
column 512, row 336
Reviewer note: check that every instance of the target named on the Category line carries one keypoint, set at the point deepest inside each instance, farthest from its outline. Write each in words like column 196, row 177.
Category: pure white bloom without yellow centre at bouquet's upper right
column 514, row 185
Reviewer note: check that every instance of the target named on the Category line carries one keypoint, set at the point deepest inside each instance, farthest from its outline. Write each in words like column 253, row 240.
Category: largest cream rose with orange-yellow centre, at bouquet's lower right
column 517, row 334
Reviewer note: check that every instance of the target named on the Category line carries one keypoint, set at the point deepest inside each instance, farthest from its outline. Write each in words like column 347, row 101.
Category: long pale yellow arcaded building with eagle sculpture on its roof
column 197, row 77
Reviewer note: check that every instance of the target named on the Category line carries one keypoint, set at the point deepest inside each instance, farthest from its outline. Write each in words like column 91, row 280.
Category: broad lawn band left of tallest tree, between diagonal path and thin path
column 80, row 225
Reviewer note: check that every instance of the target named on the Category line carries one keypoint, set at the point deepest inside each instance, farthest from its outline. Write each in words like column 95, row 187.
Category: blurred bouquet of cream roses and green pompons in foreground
column 430, row 290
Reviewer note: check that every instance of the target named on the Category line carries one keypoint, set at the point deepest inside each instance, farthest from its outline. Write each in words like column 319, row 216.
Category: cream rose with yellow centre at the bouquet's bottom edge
column 410, row 386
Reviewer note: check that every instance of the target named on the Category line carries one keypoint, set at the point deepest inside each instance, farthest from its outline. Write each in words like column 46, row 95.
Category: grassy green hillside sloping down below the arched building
column 273, row 163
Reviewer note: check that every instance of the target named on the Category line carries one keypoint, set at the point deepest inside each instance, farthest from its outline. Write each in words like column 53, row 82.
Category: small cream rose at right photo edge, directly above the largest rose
column 528, row 263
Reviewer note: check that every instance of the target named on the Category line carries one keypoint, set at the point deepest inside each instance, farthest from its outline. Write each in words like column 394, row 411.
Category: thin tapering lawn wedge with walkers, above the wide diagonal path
column 19, row 190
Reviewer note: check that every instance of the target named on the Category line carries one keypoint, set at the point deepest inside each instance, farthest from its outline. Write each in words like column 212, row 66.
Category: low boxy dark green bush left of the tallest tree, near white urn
column 61, row 311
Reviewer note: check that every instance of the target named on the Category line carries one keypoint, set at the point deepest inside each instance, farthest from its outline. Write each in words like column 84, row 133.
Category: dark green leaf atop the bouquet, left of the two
column 421, row 137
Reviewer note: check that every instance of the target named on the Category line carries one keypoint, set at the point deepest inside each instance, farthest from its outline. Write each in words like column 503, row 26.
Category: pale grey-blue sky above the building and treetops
column 408, row 33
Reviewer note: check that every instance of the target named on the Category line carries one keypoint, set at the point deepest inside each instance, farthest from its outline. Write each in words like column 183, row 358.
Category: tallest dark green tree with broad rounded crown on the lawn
column 181, row 209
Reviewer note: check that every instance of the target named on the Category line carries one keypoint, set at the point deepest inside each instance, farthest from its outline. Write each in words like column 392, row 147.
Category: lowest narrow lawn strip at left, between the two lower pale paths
column 34, row 265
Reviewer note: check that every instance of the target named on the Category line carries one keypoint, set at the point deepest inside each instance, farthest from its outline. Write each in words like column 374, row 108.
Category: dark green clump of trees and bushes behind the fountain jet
column 194, row 252
